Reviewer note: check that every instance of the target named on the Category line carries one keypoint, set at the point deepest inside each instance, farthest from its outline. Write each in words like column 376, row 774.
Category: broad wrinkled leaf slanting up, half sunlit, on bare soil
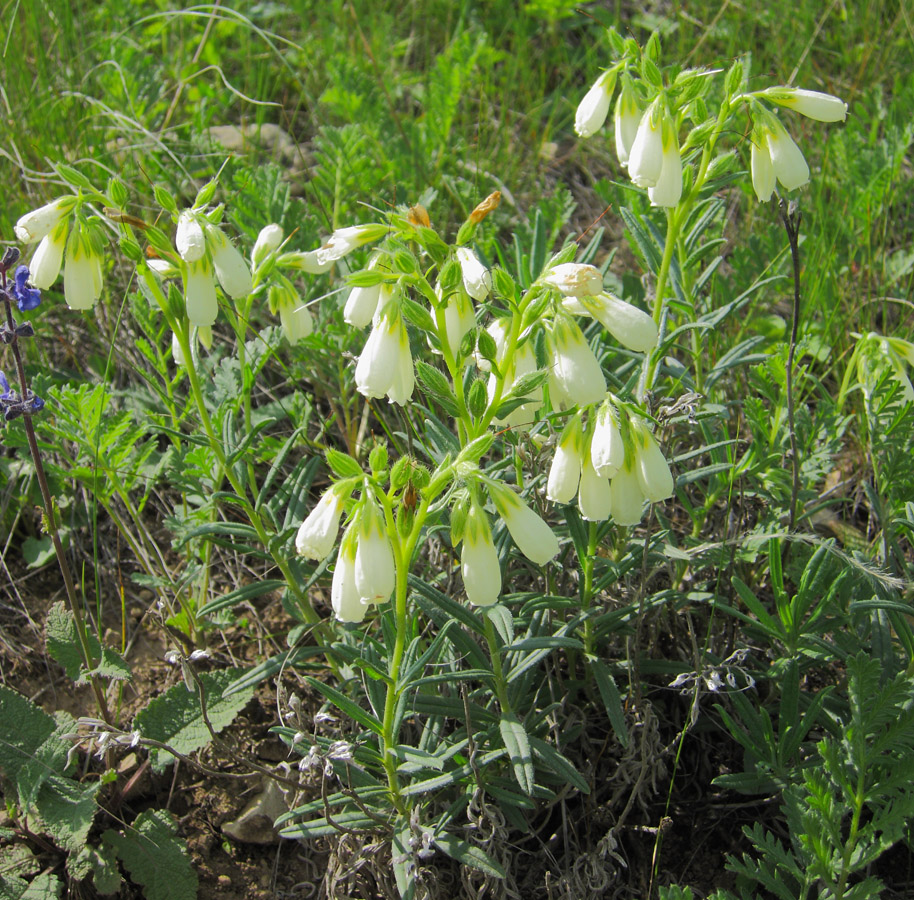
column 175, row 718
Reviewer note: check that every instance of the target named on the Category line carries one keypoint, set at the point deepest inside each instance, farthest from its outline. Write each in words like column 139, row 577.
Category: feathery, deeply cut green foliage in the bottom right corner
column 849, row 805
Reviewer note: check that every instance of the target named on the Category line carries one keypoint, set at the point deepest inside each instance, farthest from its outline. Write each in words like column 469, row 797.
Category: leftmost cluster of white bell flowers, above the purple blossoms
column 77, row 249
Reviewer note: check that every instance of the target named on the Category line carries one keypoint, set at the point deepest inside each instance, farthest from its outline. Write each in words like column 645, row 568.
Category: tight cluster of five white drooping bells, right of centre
column 614, row 466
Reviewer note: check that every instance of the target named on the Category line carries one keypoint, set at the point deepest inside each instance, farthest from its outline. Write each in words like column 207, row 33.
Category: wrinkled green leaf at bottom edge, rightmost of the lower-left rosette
column 155, row 858
